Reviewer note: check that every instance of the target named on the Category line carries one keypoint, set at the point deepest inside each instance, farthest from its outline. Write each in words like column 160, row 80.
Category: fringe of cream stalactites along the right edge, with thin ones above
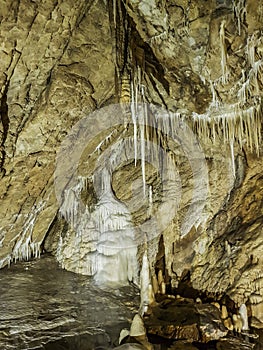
column 240, row 121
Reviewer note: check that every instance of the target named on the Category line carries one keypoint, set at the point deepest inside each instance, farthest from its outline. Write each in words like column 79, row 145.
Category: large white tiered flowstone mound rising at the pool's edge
column 104, row 243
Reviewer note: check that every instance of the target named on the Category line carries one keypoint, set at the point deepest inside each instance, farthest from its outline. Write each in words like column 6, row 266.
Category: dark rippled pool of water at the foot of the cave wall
column 44, row 307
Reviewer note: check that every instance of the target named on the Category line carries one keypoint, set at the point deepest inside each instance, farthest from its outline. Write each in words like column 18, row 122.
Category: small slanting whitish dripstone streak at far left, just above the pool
column 24, row 248
